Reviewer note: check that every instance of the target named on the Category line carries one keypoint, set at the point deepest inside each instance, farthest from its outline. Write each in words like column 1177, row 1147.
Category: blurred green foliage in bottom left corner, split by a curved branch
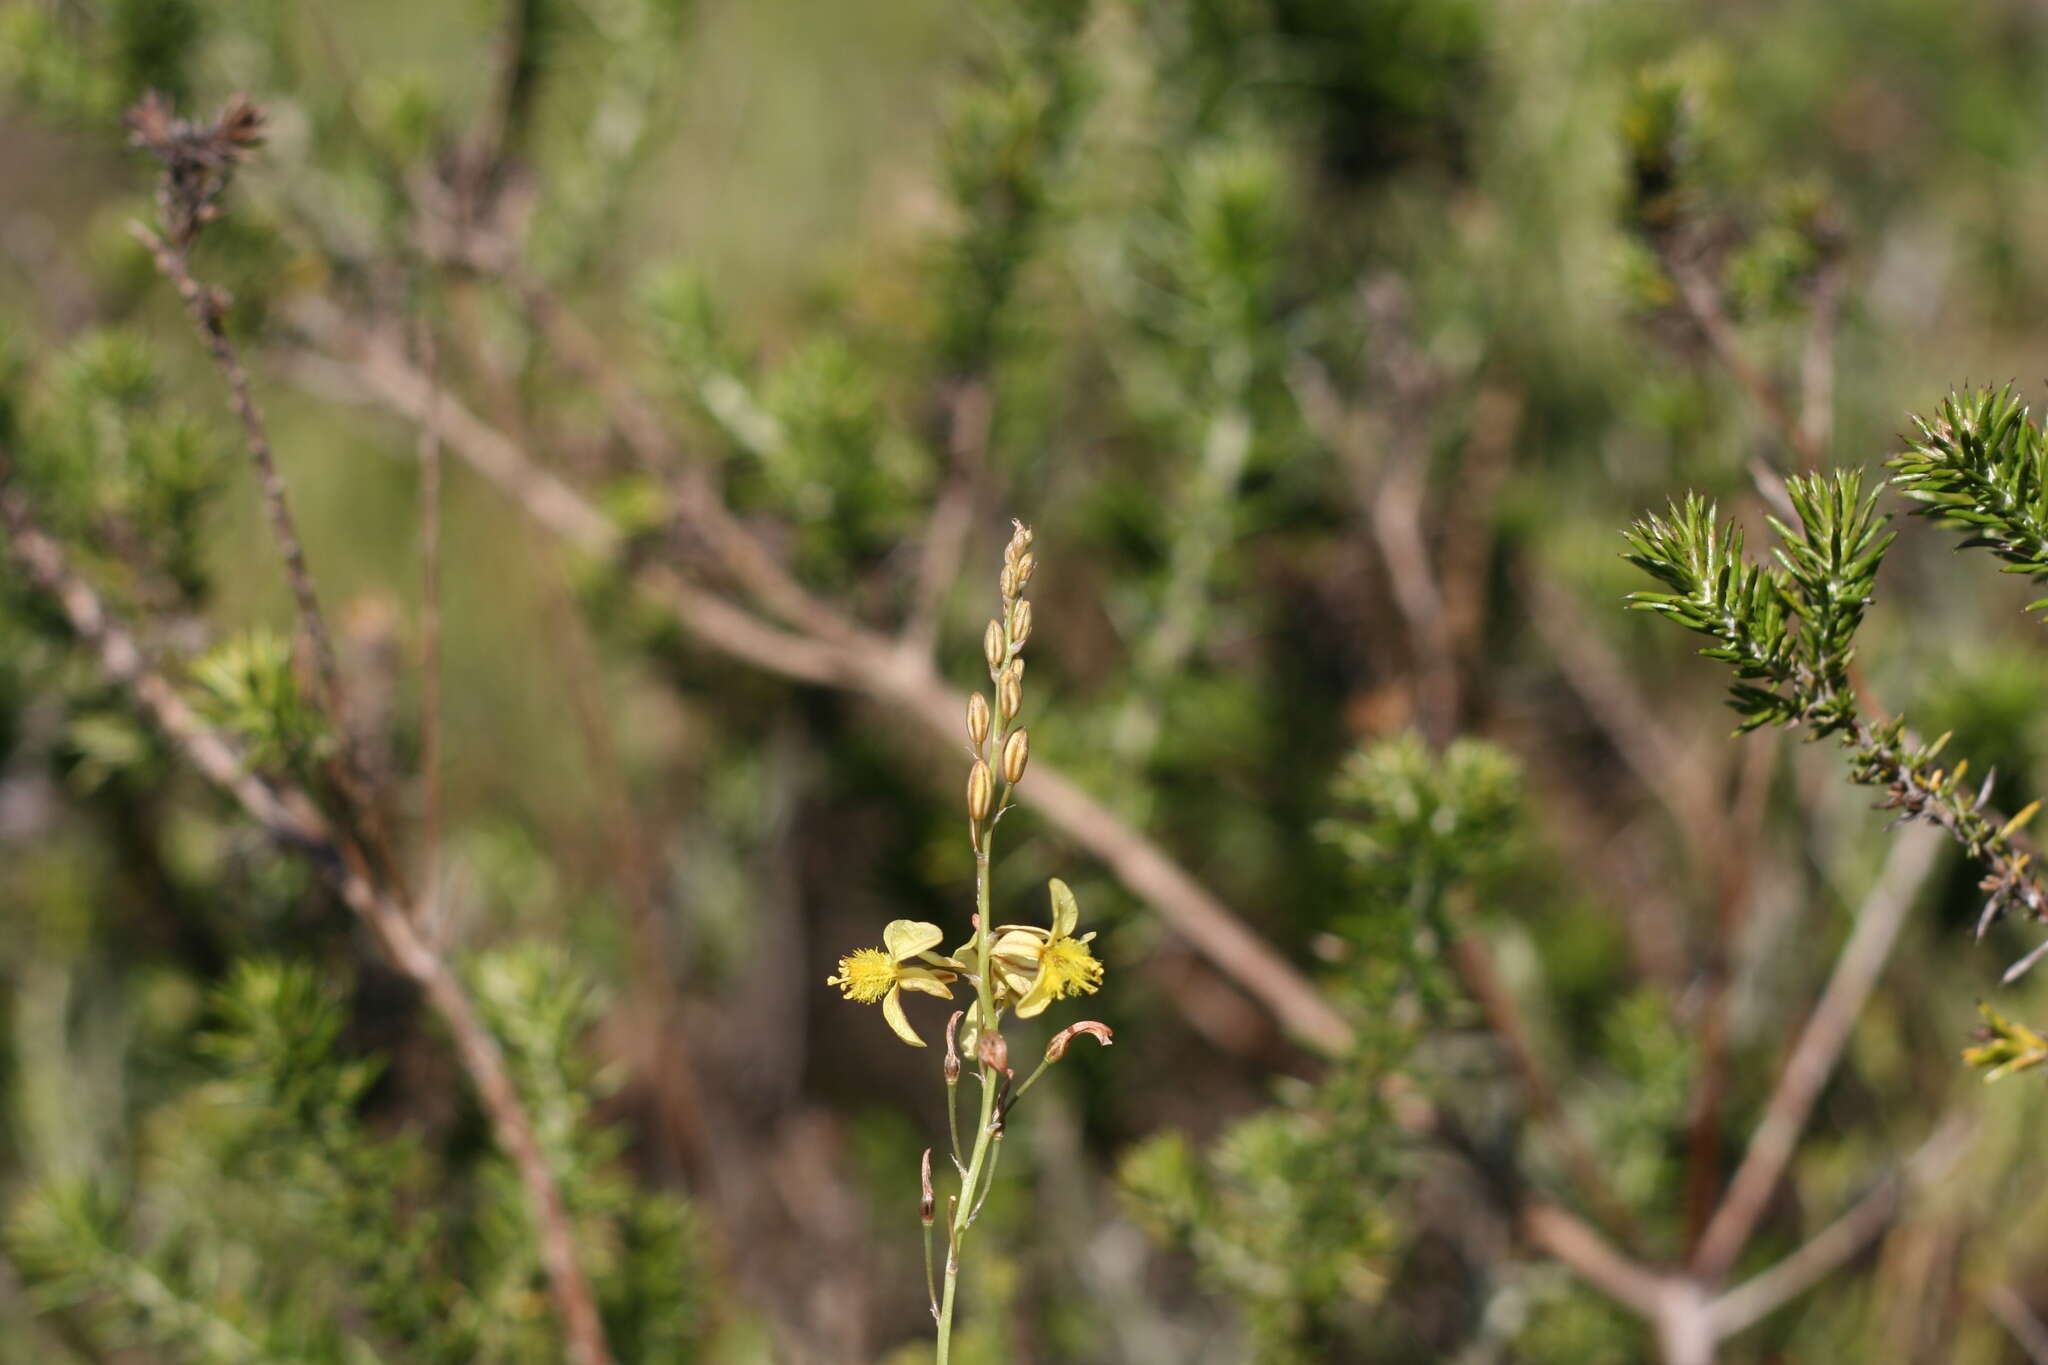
column 273, row 1223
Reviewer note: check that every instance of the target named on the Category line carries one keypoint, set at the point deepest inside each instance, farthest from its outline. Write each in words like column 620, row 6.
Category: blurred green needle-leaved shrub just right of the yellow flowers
column 1306, row 1215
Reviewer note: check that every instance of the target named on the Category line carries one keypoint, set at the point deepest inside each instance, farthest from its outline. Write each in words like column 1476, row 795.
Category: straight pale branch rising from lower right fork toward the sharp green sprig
column 1820, row 1045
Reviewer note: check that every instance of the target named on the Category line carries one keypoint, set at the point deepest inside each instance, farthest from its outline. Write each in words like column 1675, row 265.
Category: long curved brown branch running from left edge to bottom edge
column 292, row 818
